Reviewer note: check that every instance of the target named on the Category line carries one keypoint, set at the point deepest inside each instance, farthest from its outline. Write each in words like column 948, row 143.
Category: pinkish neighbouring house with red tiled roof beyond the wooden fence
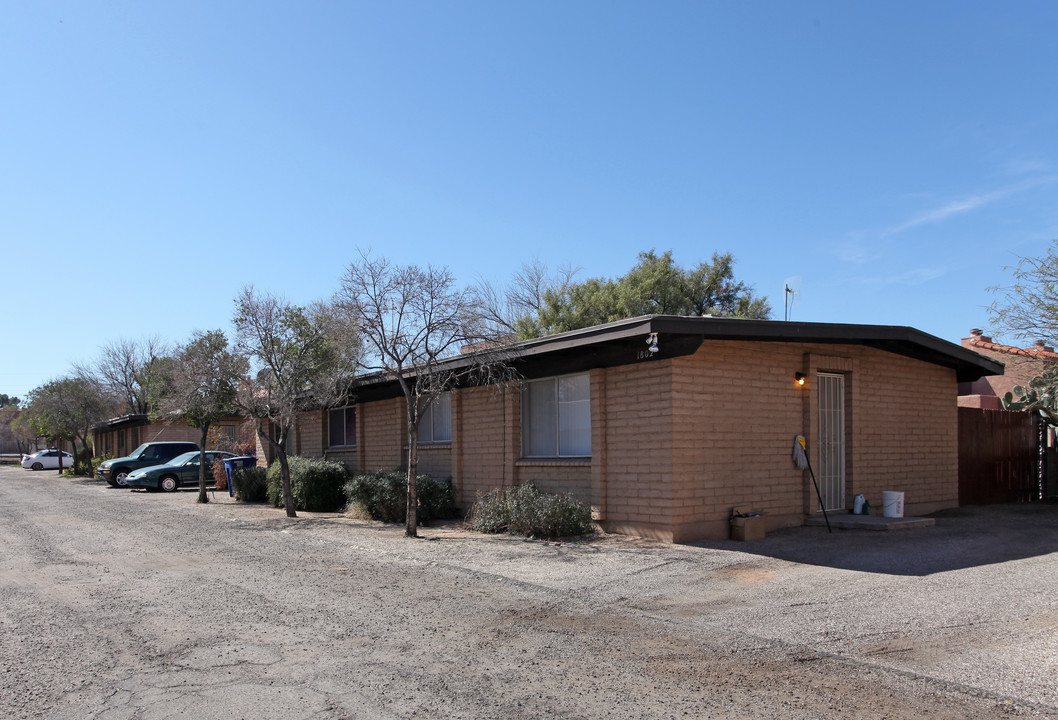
column 1023, row 365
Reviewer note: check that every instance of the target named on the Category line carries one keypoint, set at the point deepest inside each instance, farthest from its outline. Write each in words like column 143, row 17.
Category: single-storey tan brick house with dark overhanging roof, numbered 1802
column 665, row 423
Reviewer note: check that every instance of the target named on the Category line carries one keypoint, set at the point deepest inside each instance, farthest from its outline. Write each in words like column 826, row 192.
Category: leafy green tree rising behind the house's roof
column 654, row 286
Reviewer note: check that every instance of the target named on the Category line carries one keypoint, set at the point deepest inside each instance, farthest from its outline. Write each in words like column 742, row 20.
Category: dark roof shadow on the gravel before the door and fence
column 964, row 538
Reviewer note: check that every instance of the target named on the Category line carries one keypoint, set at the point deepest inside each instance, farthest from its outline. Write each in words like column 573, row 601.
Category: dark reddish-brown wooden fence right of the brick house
column 999, row 457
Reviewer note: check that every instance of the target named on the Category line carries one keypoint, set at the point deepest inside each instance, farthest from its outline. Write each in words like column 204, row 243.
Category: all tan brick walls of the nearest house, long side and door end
column 678, row 444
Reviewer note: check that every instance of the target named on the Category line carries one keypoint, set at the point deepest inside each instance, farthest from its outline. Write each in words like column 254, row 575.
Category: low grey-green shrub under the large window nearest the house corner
column 526, row 511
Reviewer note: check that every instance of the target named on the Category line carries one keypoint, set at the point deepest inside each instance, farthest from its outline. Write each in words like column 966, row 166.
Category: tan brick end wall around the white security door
column 738, row 412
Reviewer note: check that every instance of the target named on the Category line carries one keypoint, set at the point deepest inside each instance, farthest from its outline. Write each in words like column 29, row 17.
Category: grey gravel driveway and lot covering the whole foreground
column 119, row 604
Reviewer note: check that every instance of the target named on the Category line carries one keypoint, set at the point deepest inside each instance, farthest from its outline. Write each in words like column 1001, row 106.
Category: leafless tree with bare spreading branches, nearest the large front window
column 412, row 322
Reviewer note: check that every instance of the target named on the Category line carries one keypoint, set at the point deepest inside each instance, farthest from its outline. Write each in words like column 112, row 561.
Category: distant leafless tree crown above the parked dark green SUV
column 137, row 372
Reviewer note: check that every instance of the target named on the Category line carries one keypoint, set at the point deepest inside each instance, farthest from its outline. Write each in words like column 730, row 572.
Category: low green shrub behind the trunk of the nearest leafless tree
column 384, row 495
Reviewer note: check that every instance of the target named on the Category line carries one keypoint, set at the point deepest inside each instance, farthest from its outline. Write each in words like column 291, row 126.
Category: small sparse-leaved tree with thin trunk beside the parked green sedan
column 205, row 386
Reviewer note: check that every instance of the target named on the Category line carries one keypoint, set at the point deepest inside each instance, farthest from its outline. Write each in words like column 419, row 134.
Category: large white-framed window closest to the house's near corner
column 557, row 417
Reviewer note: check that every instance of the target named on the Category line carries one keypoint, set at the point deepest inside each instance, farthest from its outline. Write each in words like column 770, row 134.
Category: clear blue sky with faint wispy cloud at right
column 893, row 156
